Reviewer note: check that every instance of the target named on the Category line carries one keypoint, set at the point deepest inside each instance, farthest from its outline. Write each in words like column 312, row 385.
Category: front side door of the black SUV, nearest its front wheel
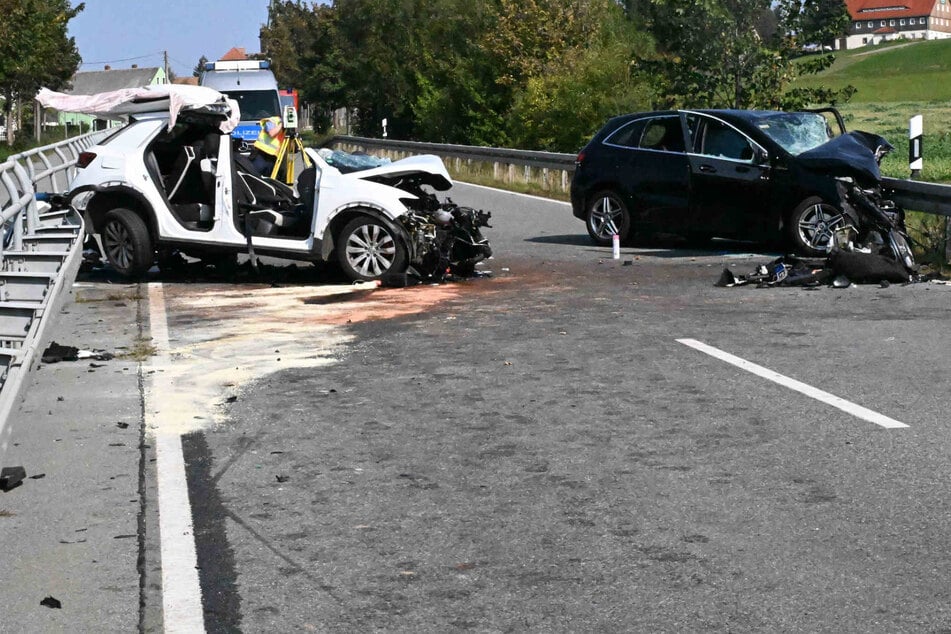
column 729, row 181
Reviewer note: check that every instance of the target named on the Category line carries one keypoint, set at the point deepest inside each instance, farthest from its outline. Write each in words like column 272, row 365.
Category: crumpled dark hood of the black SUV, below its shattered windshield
column 851, row 154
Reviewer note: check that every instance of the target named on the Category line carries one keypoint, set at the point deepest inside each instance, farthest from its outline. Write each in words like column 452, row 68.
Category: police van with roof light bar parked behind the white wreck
column 251, row 83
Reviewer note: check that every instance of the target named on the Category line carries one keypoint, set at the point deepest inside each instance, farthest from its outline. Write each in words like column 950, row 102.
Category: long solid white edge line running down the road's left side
column 181, row 590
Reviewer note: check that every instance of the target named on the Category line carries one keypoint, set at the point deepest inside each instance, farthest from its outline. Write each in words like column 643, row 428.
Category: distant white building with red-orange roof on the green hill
column 876, row 21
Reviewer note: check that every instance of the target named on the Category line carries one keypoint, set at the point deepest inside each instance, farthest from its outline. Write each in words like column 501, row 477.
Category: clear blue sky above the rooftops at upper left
column 126, row 32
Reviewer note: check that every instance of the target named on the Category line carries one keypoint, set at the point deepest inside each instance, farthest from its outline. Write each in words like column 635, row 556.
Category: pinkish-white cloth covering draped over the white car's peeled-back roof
column 155, row 98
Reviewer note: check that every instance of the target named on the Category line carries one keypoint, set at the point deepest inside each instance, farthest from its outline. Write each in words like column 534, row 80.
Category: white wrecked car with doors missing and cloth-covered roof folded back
column 169, row 182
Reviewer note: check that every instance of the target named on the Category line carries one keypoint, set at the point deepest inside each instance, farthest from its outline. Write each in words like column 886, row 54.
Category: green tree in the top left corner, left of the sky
column 35, row 50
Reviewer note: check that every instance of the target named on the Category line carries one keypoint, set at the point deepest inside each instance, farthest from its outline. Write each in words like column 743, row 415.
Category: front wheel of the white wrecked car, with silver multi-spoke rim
column 367, row 249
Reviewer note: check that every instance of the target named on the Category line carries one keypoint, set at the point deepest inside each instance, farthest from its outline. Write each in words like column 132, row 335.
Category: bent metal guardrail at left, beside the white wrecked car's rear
column 40, row 253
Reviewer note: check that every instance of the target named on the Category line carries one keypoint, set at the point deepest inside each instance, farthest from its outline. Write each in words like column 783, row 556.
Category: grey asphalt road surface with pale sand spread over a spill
column 538, row 450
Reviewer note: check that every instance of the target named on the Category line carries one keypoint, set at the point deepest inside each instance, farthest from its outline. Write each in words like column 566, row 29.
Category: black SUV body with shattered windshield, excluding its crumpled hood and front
column 710, row 173
